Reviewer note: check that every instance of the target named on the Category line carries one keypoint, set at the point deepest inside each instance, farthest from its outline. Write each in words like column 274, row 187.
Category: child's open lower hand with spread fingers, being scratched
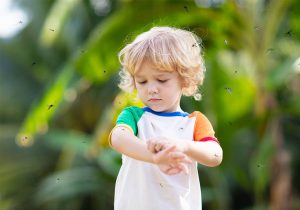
column 171, row 161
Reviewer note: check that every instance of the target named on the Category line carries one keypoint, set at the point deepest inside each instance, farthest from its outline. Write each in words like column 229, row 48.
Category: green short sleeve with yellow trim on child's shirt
column 130, row 116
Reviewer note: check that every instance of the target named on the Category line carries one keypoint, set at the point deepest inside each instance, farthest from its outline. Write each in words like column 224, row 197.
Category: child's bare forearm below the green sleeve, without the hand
column 123, row 141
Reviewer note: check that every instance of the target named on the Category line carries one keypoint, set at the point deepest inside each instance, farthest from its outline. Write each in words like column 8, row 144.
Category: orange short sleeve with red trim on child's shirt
column 203, row 130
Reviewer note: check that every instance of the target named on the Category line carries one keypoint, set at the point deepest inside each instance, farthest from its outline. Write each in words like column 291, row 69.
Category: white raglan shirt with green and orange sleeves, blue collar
column 141, row 185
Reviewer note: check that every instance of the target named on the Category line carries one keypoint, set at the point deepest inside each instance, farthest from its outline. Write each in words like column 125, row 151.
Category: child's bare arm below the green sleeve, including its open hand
column 168, row 160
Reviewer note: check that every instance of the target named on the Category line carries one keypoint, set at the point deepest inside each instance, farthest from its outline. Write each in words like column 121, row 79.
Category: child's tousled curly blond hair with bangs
column 168, row 49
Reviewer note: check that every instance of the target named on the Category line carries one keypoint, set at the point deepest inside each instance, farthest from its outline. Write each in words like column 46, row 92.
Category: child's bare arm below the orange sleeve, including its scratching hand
column 207, row 153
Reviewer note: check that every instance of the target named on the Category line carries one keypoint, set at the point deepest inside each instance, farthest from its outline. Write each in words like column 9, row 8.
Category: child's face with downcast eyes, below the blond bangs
column 159, row 90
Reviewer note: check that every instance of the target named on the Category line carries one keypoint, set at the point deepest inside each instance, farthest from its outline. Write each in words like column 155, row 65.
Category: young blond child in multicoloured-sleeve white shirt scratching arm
column 160, row 144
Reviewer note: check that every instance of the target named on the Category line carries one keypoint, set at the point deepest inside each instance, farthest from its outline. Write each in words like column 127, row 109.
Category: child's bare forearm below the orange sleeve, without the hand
column 207, row 153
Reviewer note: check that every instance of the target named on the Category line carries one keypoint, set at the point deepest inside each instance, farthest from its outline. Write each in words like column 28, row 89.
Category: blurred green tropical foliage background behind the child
column 59, row 98
